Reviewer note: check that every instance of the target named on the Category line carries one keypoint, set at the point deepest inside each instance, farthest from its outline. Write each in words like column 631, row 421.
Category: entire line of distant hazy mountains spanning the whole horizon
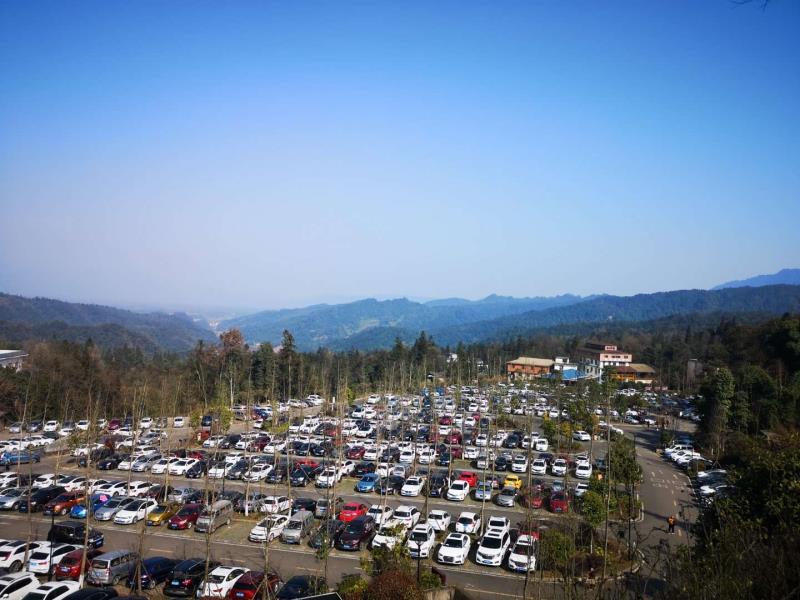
column 368, row 324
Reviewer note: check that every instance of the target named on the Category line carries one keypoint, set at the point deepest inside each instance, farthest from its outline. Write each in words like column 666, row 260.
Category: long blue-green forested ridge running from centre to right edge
column 368, row 324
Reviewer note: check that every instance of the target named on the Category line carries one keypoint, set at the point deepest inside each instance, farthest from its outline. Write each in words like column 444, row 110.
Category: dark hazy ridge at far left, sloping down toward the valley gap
column 23, row 319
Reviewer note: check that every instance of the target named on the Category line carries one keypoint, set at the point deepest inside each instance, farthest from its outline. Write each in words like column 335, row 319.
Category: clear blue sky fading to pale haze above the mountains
column 261, row 154
